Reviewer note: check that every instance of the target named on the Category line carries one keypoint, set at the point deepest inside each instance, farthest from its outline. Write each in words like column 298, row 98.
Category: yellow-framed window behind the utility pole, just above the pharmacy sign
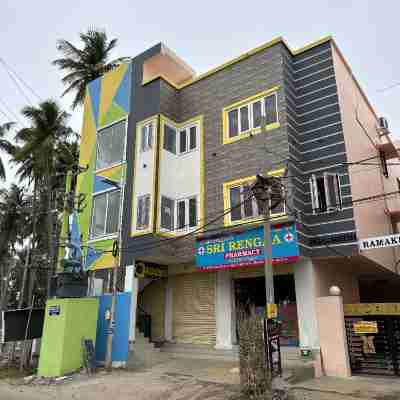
column 239, row 199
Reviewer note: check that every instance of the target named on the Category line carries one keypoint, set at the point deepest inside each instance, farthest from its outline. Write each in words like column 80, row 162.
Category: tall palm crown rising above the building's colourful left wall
column 85, row 64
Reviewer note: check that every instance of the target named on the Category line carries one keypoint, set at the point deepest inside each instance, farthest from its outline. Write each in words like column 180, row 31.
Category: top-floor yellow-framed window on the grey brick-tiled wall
column 245, row 117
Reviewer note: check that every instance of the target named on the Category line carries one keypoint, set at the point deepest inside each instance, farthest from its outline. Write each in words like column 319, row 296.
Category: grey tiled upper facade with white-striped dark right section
column 310, row 136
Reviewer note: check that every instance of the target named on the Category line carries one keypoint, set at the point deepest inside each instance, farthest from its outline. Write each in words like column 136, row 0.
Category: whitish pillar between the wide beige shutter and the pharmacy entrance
column 223, row 310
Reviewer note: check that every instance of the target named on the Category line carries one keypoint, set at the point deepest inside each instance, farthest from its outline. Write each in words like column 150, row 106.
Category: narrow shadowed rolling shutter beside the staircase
column 152, row 299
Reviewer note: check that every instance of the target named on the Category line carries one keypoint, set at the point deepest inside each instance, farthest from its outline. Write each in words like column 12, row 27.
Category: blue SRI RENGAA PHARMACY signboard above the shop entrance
column 244, row 249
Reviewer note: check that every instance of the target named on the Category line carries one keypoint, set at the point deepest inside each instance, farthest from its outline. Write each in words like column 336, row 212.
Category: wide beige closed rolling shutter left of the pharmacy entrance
column 194, row 308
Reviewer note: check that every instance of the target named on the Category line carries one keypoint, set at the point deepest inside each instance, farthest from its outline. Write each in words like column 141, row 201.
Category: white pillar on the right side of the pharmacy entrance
column 304, row 278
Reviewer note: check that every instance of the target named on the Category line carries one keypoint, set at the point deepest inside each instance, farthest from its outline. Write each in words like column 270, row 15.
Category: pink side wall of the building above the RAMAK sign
column 361, row 137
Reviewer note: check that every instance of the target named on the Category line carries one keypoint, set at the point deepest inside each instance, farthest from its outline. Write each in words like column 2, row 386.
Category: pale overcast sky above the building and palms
column 205, row 34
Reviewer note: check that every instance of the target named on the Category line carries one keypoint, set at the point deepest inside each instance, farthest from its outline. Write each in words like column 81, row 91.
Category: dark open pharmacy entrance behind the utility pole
column 251, row 292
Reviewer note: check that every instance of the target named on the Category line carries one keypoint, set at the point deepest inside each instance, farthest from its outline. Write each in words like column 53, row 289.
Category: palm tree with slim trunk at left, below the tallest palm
column 42, row 140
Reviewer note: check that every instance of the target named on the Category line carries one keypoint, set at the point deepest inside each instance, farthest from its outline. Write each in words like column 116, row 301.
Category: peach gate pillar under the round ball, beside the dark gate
column 332, row 333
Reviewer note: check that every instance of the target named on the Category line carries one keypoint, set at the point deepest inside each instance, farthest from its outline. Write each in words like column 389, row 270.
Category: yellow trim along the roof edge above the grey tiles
column 242, row 57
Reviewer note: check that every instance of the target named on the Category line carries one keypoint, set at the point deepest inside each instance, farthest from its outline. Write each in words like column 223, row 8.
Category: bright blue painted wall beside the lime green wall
column 121, row 333
